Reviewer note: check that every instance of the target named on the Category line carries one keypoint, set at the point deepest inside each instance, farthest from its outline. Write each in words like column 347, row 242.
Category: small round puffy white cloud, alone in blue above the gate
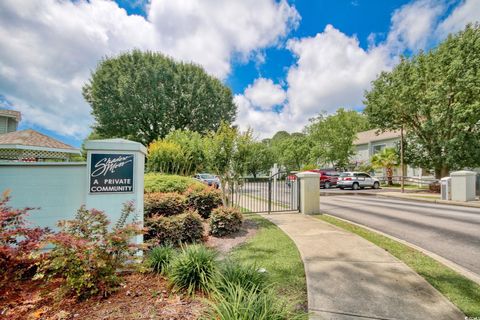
column 263, row 93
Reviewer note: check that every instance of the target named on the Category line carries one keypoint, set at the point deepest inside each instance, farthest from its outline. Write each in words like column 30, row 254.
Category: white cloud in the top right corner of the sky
column 467, row 12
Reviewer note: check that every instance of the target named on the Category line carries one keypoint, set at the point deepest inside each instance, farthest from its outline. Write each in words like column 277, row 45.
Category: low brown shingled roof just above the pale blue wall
column 26, row 139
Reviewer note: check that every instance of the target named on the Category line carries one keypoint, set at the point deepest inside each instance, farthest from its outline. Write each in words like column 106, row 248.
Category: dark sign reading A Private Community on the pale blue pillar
column 111, row 173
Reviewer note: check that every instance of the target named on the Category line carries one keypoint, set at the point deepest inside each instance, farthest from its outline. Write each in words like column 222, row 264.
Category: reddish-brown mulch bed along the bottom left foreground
column 141, row 296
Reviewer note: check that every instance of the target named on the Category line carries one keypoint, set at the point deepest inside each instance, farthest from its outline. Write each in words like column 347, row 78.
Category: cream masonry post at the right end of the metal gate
column 309, row 192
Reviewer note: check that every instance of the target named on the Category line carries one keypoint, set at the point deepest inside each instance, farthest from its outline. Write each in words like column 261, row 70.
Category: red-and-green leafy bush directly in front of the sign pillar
column 86, row 255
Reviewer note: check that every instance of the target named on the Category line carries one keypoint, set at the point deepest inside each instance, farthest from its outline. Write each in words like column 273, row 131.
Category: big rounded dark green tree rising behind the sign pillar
column 143, row 96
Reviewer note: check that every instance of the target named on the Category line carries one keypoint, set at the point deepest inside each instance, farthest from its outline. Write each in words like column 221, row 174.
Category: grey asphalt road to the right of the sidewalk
column 452, row 232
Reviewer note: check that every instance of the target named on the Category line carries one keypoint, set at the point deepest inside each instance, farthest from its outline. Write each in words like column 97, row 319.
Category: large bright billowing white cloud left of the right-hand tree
column 332, row 71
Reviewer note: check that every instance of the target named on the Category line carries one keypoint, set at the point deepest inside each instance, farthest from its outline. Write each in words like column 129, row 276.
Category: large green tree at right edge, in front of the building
column 435, row 96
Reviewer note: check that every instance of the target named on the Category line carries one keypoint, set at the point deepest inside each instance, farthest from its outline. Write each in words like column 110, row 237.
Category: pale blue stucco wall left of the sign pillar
column 57, row 189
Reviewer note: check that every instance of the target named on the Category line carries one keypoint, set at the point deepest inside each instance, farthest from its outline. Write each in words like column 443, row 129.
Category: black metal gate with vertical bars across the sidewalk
column 280, row 192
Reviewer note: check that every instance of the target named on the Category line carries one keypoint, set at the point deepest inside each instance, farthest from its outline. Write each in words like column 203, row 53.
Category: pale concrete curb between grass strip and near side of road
column 452, row 265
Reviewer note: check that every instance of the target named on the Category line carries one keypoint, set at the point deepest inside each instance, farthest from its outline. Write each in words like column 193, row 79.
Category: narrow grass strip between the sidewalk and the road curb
column 462, row 292
